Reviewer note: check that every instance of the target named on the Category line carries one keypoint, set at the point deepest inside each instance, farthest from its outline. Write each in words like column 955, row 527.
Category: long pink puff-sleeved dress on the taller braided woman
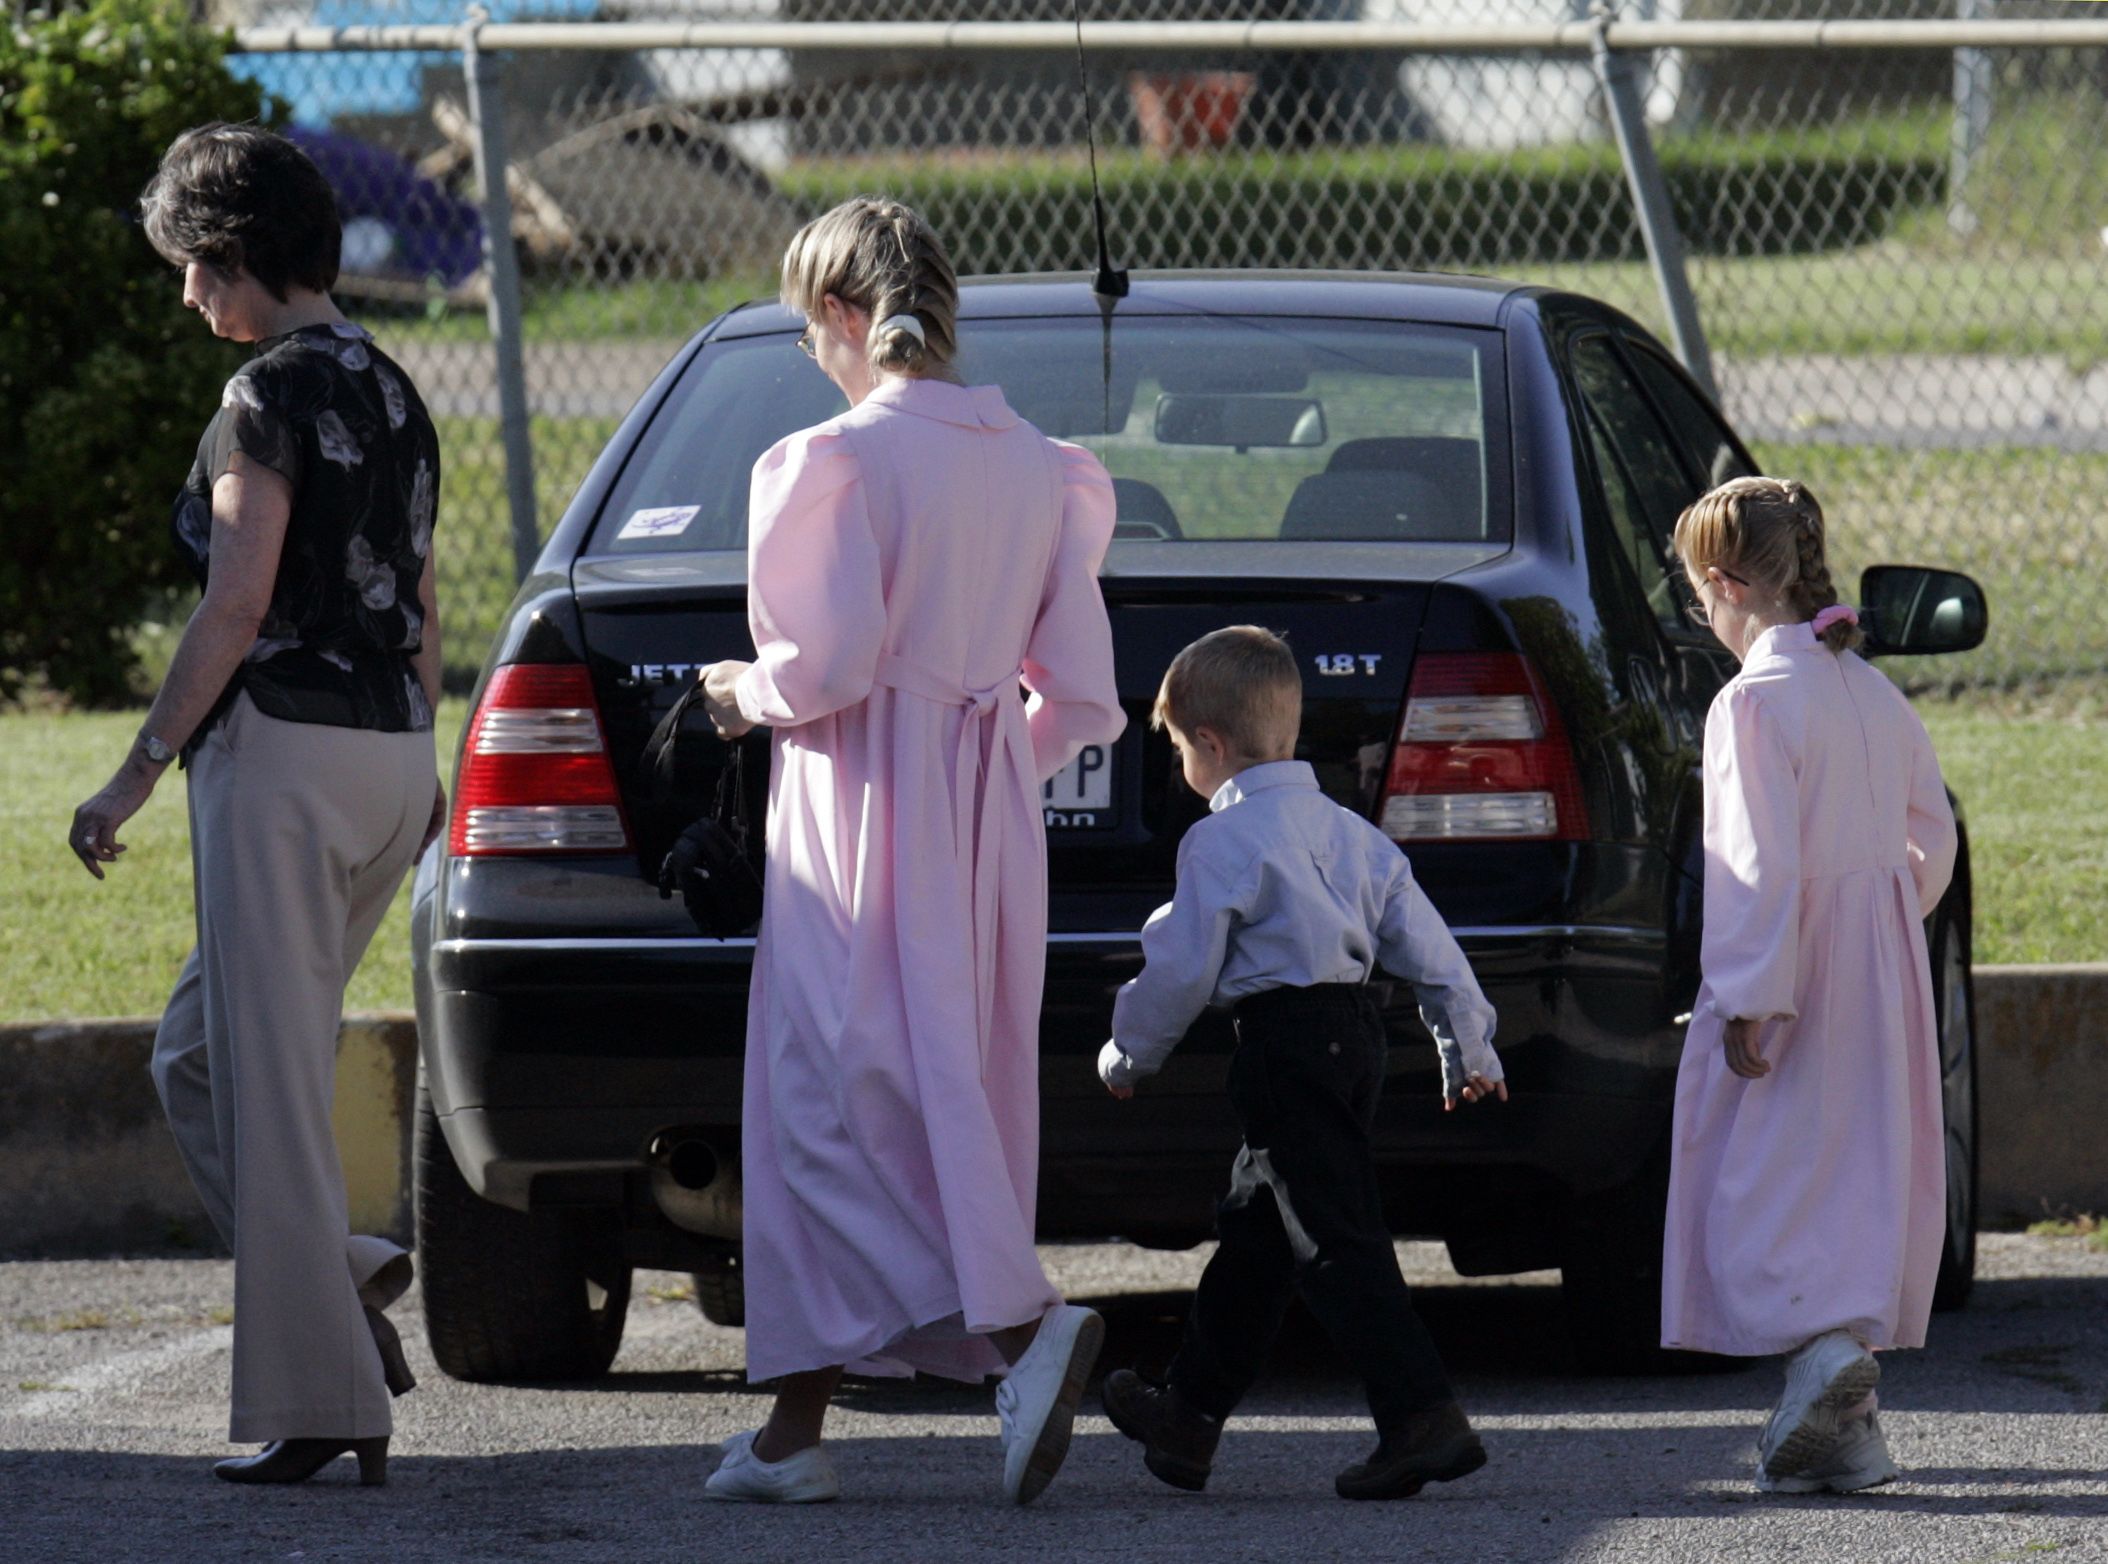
column 910, row 562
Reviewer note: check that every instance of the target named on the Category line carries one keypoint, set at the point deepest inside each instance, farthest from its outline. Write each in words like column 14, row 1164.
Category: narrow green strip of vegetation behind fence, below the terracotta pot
column 1831, row 187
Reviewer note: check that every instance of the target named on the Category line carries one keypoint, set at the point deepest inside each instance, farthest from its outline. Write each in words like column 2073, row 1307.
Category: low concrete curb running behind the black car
column 87, row 1165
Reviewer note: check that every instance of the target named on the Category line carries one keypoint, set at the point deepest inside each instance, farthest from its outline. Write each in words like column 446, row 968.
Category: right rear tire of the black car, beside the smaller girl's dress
column 1612, row 1274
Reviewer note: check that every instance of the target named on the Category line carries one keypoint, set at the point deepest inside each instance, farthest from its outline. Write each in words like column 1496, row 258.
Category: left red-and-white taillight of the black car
column 534, row 775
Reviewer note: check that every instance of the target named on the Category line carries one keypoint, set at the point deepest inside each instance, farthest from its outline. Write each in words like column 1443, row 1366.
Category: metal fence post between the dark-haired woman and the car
column 503, row 271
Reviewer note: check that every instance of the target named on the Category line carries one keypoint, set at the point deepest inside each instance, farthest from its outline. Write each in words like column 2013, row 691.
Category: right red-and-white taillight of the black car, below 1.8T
column 1481, row 756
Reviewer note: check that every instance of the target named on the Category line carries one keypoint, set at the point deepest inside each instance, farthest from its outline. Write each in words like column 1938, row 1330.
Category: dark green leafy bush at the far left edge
column 104, row 378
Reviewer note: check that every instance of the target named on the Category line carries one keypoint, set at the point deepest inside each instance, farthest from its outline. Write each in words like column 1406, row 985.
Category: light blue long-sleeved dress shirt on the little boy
column 1283, row 888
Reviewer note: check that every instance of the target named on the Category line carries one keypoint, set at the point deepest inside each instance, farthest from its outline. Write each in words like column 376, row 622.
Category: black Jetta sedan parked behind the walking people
column 1456, row 498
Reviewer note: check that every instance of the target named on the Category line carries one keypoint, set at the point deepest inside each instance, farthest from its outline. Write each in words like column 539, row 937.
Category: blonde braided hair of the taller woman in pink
column 884, row 258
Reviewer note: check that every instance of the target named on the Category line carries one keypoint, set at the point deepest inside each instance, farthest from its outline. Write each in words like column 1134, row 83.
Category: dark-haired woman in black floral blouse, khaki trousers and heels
column 302, row 701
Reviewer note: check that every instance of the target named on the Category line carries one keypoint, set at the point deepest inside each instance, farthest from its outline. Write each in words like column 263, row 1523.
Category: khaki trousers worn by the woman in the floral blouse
column 300, row 838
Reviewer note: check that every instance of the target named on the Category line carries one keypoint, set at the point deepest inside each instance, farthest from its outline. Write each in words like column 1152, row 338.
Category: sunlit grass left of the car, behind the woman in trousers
column 75, row 947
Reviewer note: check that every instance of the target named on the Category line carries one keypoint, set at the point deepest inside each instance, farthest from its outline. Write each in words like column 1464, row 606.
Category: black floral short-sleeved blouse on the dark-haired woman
column 343, row 423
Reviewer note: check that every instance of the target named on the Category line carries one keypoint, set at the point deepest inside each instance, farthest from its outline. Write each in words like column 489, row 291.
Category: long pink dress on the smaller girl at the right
column 1814, row 1198
